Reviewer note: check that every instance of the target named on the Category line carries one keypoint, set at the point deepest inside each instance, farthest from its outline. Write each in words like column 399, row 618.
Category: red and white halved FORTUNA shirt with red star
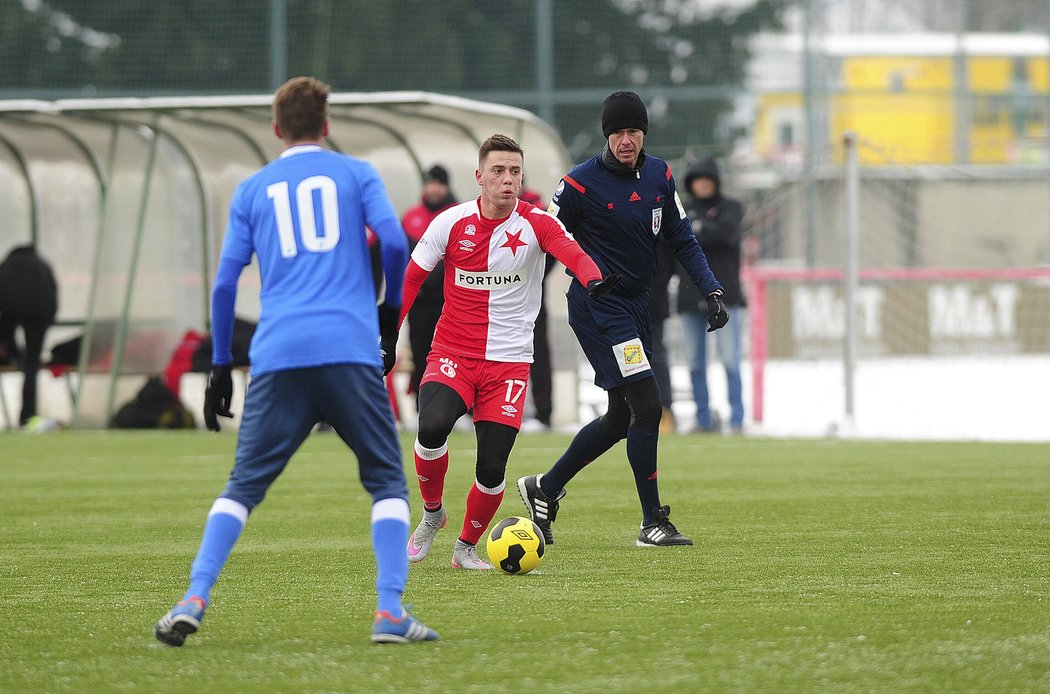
column 494, row 278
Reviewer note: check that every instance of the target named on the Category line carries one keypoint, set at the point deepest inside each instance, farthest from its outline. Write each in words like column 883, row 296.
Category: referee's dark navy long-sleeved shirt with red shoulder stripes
column 618, row 219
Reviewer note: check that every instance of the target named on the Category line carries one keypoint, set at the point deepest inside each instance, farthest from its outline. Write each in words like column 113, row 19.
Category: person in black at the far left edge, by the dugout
column 29, row 299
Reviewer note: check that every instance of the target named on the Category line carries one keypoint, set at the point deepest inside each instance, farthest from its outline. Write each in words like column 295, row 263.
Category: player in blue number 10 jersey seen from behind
column 314, row 356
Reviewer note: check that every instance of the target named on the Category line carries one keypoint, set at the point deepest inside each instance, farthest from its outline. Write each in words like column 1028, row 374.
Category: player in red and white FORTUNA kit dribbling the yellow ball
column 494, row 250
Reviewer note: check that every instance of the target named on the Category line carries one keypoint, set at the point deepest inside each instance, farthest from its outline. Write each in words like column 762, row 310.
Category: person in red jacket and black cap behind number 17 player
column 425, row 314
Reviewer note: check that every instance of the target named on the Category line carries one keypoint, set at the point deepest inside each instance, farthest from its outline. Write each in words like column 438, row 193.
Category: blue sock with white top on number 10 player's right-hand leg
column 390, row 537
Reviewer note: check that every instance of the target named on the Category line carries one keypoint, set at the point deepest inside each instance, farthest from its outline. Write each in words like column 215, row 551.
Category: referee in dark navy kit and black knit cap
column 617, row 205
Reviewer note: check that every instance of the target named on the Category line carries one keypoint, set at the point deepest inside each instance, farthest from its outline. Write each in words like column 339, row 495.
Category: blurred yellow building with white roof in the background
column 901, row 95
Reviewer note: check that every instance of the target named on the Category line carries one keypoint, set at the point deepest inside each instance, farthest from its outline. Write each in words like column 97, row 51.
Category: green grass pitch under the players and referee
column 820, row 566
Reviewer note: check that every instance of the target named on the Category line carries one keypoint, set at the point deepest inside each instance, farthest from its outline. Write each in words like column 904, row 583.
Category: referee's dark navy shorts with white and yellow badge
column 615, row 333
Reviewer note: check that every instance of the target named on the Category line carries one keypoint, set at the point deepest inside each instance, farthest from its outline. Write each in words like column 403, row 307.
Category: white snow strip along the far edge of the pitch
column 990, row 398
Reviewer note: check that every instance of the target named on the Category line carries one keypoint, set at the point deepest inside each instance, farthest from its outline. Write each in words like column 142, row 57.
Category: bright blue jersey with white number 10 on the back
column 304, row 217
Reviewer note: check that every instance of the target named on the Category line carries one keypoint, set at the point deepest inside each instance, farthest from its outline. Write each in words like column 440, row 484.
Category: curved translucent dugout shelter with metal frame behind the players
column 129, row 198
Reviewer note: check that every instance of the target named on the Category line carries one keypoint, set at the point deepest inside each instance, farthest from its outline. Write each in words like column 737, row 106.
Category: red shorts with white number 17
column 495, row 390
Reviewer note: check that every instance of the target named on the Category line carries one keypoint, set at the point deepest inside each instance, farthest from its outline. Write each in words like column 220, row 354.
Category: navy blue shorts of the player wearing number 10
column 283, row 407
